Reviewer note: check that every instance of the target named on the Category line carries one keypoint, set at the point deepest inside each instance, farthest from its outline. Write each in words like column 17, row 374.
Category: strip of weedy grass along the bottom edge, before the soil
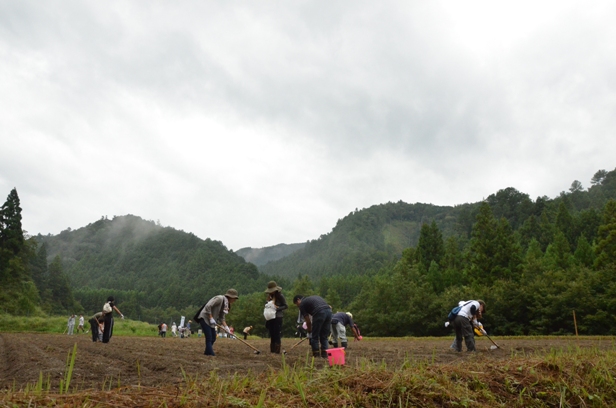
column 566, row 378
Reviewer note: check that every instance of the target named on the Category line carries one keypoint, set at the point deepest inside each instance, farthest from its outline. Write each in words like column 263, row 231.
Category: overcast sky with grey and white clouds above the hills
column 258, row 123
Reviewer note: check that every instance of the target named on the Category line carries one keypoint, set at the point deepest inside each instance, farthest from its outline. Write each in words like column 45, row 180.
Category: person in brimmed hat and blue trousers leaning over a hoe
column 212, row 313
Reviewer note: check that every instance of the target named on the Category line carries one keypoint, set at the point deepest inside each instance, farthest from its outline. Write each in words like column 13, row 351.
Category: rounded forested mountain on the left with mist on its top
column 147, row 266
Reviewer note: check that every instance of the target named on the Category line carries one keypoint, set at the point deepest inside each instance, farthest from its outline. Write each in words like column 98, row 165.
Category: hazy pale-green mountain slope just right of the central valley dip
column 365, row 240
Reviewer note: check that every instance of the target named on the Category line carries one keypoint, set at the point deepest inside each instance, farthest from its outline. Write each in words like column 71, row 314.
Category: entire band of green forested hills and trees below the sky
column 398, row 267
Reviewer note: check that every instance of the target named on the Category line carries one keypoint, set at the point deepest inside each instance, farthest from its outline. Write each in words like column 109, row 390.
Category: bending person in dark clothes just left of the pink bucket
column 319, row 326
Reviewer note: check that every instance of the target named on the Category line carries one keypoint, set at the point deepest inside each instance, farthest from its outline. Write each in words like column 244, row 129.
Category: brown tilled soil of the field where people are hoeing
column 154, row 361
